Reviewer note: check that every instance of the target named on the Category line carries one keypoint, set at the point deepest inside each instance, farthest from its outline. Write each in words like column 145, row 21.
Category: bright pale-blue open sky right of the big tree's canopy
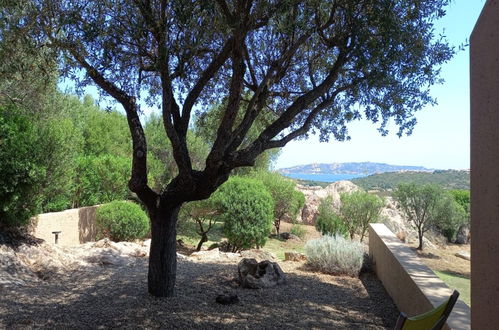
column 440, row 140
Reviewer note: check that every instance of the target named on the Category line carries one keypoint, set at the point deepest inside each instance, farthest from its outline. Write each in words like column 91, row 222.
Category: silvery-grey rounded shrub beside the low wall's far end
column 335, row 255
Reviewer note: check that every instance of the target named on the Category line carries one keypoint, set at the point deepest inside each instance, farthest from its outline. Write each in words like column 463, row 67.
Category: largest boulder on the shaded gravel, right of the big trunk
column 259, row 275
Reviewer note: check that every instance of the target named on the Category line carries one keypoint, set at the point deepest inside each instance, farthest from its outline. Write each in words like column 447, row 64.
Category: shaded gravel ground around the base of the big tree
column 116, row 297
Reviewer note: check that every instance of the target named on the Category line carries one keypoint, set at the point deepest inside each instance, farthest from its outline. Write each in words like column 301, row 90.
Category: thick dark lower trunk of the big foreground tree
column 163, row 253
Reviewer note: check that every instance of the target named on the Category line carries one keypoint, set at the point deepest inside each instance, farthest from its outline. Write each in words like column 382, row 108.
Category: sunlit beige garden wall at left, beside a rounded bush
column 76, row 226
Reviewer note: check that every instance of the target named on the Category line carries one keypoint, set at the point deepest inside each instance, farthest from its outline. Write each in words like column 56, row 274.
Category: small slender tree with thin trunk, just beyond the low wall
column 421, row 204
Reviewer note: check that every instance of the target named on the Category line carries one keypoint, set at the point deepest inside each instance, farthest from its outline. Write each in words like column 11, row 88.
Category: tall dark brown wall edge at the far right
column 484, row 57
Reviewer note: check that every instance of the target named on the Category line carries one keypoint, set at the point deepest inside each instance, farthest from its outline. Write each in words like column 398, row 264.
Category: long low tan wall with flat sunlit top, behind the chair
column 413, row 286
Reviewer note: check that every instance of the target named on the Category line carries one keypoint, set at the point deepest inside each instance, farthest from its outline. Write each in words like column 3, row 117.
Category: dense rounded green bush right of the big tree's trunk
column 246, row 208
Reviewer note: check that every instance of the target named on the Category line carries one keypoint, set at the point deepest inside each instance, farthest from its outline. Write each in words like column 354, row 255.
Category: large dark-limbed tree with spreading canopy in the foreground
column 315, row 64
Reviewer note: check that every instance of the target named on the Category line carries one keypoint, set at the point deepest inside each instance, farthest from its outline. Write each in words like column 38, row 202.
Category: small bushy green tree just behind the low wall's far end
column 358, row 209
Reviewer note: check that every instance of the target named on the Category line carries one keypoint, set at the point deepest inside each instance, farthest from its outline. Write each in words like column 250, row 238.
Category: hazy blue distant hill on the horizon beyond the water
column 365, row 168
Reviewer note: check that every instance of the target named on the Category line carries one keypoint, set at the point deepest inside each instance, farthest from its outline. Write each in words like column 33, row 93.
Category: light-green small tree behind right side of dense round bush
column 287, row 200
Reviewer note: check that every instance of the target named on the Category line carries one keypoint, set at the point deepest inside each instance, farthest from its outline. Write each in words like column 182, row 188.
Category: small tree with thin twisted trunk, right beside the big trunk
column 203, row 213
